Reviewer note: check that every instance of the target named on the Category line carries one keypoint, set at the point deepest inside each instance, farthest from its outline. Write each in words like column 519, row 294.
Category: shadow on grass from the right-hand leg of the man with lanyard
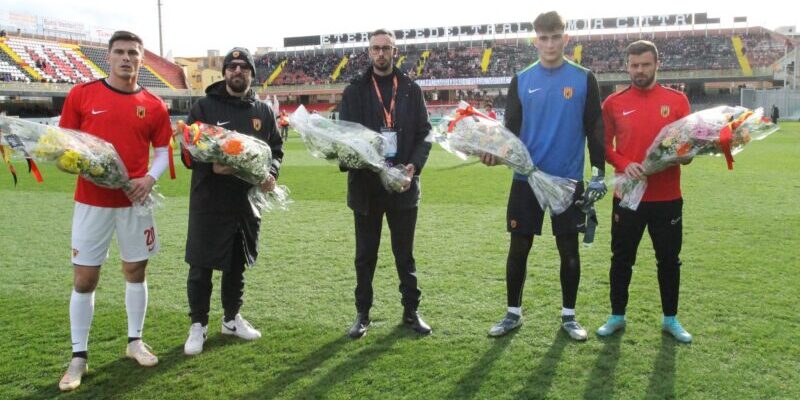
column 354, row 363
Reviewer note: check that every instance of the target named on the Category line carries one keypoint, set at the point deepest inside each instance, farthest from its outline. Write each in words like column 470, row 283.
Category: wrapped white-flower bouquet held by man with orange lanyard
column 349, row 144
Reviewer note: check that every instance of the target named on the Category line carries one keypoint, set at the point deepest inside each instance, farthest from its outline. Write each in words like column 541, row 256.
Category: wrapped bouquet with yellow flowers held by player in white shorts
column 73, row 152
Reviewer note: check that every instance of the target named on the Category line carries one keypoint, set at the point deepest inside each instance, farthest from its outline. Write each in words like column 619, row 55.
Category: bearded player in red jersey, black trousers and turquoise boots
column 633, row 117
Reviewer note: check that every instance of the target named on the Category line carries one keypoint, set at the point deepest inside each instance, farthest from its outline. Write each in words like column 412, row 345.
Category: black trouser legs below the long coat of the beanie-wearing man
column 198, row 289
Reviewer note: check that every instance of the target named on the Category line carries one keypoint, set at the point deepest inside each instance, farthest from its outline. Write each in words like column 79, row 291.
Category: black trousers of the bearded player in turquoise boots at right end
column 664, row 222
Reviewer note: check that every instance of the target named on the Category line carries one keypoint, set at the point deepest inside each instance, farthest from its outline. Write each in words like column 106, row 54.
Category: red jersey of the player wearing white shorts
column 129, row 121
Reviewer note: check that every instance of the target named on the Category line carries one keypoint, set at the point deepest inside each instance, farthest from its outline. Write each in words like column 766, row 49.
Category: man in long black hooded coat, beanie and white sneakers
column 223, row 231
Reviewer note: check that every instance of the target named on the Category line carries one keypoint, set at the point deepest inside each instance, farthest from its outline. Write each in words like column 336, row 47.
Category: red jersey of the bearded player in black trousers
column 633, row 117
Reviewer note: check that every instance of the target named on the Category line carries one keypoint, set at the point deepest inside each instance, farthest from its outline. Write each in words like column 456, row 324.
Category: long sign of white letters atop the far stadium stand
column 482, row 30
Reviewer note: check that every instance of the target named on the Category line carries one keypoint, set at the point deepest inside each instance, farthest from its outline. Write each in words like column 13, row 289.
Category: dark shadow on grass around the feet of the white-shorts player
column 118, row 377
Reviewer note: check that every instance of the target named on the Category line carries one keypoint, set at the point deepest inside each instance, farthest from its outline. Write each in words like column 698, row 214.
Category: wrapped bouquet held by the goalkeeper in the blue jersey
column 467, row 132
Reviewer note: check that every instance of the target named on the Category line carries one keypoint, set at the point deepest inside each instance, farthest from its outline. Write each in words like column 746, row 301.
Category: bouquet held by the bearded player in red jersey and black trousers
column 720, row 130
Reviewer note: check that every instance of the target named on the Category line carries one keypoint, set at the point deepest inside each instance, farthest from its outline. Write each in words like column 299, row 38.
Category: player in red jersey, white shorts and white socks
column 125, row 114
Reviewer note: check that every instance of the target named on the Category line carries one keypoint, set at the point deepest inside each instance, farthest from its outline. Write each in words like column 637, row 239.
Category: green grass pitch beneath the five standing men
column 740, row 282
